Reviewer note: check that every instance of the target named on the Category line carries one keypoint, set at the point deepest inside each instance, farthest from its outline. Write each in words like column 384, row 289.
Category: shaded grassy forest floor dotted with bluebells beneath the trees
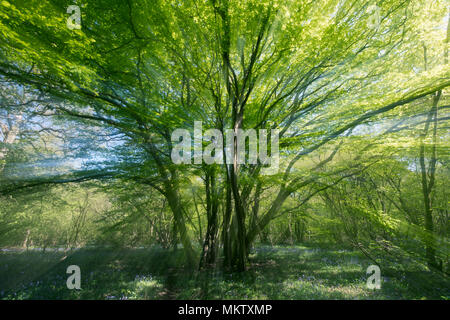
column 290, row 272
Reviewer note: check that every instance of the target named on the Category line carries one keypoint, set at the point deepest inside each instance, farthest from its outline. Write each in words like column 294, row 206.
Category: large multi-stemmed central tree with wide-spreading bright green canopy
column 313, row 72
